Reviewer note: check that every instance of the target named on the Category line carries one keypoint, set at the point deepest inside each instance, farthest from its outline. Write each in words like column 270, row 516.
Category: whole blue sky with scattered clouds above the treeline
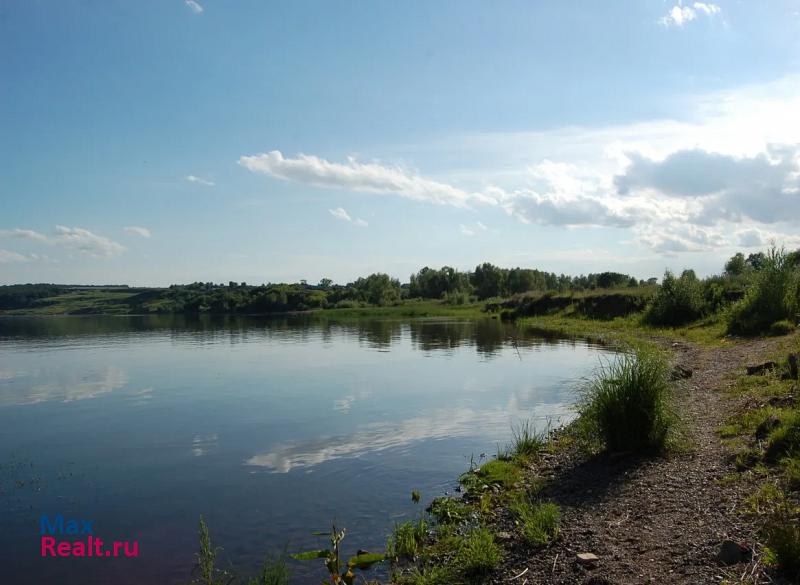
column 174, row 141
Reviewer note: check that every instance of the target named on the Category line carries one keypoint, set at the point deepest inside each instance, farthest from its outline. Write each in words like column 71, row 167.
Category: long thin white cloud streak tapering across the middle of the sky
column 357, row 176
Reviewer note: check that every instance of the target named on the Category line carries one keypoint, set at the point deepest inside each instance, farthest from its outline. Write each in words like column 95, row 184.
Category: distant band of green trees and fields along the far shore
column 446, row 286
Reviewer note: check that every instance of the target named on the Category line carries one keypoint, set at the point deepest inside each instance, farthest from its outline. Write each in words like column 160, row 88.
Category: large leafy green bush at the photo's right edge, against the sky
column 772, row 297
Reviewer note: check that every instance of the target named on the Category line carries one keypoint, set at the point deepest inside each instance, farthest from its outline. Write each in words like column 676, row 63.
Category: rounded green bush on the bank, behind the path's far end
column 677, row 301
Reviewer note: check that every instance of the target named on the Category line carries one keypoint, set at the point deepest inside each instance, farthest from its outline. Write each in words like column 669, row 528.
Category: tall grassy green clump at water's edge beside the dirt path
column 627, row 403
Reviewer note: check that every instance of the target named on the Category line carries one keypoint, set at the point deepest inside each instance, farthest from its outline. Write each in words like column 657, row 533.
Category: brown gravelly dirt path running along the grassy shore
column 652, row 521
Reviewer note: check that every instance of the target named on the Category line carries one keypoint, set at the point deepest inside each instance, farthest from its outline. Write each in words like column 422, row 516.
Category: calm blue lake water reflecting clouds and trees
column 268, row 428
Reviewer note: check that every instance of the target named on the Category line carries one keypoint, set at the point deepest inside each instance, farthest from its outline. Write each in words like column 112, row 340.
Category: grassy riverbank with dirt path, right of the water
column 626, row 518
